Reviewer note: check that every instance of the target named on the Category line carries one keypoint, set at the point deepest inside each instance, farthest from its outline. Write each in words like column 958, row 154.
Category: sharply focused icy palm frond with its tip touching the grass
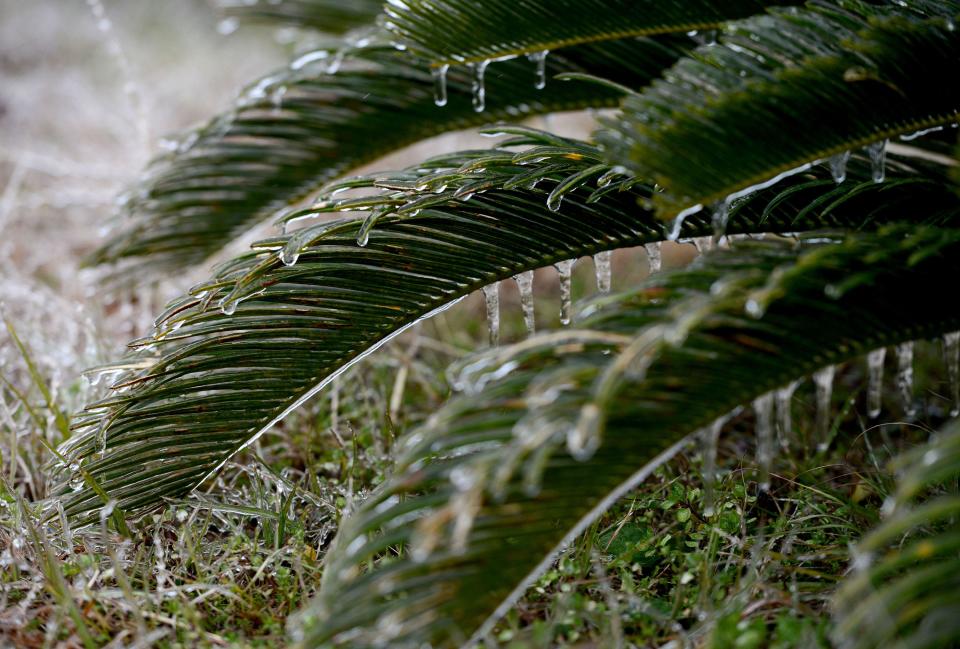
column 275, row 325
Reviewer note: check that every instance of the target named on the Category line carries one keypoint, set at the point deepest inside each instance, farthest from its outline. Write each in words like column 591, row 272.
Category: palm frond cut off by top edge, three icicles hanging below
column 451, row 32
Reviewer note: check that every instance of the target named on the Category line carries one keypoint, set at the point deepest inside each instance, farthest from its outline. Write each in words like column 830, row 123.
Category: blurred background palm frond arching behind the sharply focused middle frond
column 294, row 131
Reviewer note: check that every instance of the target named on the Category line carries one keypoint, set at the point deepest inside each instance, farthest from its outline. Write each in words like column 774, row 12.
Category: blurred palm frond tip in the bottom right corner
column 905, row 587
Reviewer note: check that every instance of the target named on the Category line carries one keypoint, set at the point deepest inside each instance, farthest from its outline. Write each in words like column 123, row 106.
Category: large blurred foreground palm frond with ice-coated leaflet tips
column 487, row 492
